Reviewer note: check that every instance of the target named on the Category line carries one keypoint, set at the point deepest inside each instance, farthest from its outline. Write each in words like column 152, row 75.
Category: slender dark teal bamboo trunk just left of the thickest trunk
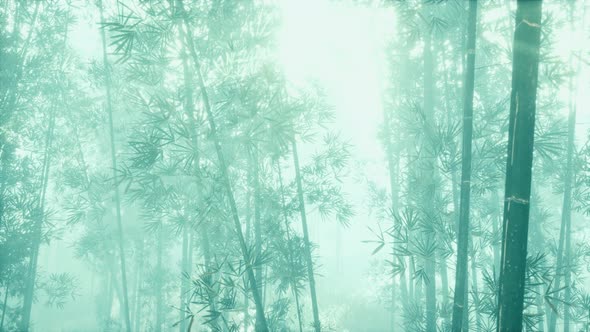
column 461, row 285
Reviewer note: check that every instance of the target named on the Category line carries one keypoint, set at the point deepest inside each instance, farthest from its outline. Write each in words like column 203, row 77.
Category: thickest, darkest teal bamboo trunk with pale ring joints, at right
column 519, row 165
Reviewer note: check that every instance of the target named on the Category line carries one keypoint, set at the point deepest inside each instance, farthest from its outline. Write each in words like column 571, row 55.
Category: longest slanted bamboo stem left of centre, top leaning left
column 261, row 324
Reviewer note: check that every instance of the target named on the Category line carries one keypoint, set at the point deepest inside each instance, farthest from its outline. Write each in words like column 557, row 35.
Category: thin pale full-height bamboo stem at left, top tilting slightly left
column 109, row 107
